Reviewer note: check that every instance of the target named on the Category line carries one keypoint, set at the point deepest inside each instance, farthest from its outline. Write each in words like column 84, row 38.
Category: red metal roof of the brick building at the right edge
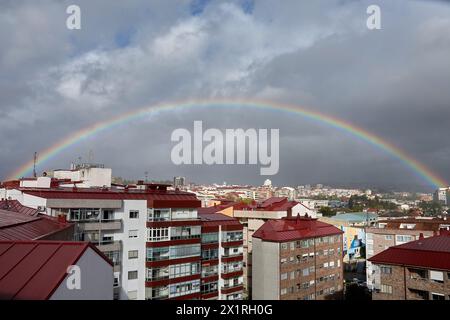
column 432, row 253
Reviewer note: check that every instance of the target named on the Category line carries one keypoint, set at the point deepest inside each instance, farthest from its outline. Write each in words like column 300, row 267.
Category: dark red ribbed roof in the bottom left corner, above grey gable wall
column 33, row 270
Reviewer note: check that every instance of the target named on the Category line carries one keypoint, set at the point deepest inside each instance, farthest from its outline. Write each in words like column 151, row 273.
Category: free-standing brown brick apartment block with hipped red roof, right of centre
column 297, row 258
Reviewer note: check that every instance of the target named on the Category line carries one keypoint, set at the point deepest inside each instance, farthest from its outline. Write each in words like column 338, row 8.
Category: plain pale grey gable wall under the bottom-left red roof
column 96, row 280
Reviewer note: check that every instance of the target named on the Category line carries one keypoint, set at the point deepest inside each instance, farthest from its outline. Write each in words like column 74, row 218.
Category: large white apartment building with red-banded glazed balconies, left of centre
column 128, row 225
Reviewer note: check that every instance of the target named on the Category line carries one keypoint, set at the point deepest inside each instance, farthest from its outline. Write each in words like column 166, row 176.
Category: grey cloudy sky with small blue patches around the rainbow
column 394, row 82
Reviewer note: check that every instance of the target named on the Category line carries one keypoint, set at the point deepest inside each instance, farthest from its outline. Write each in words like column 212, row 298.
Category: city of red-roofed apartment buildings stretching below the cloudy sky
column 153, row 241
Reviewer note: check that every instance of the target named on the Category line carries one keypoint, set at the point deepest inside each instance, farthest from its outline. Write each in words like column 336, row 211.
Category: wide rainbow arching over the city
column 418, row 168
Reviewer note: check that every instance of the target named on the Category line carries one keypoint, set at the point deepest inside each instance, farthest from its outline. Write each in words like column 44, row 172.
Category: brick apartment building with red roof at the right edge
column 417, row 270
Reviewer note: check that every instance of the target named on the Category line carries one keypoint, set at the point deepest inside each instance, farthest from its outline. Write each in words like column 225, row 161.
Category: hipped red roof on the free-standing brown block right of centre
column 289, row 229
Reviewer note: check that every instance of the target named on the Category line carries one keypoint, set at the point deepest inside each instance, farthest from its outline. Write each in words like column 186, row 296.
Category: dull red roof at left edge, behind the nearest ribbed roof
column 18, row 226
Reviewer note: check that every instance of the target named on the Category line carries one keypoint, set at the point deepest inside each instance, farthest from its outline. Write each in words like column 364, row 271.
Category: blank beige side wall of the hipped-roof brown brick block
column 266, row 270
